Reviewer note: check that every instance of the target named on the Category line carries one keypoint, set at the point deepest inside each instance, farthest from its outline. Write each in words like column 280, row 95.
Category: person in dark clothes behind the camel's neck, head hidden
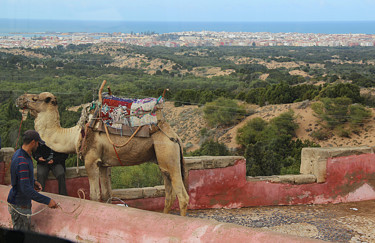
column 50, row 160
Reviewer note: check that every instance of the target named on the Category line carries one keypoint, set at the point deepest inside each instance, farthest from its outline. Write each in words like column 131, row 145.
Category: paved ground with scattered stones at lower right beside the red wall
column 345, row 222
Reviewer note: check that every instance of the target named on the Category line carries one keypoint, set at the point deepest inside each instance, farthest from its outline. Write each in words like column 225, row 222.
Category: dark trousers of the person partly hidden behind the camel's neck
column 57, row 170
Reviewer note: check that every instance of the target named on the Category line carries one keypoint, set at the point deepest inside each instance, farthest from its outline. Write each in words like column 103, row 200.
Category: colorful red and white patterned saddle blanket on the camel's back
column 117, row 112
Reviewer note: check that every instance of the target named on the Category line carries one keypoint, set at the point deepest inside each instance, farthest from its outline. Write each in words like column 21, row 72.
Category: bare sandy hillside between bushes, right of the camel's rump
column 188, row 121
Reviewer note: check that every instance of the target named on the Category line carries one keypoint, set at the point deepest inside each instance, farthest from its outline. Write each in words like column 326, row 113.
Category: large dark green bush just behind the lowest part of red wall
column 269, row 147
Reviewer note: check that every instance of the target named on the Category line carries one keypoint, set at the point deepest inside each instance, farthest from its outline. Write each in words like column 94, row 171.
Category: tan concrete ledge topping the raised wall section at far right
column 314, row 160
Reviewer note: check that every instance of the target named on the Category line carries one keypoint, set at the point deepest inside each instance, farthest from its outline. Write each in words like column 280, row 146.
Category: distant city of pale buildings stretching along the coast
column 188, row 38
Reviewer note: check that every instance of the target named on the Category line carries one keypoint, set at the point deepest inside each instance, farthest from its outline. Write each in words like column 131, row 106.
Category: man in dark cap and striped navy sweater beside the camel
column 24, row 187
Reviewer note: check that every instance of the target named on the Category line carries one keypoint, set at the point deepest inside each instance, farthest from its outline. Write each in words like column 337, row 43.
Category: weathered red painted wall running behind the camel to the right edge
column 350, row 178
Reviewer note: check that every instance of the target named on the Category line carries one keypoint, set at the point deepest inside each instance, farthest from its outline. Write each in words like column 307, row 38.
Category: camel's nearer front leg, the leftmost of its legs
column 91, row 165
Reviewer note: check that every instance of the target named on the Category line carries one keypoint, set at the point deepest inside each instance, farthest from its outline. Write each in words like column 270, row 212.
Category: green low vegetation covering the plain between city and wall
column 74, row 74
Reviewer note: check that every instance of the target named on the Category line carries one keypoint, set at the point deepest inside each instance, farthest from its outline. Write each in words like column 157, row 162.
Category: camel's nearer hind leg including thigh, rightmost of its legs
column 168, row 157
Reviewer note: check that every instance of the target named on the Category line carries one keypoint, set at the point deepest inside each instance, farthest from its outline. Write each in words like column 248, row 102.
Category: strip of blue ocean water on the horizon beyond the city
column 34, row 26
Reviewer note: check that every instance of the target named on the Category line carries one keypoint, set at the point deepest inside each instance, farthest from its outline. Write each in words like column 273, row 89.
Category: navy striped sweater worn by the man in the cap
column 22, row 178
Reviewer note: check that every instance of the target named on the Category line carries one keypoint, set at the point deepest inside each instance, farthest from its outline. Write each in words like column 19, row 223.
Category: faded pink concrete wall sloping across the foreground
column 88, row 221
